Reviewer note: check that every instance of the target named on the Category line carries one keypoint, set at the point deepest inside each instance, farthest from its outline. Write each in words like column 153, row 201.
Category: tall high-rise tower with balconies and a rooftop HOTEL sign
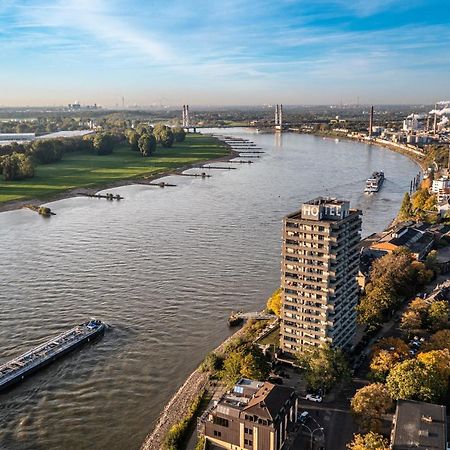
column 320, row 260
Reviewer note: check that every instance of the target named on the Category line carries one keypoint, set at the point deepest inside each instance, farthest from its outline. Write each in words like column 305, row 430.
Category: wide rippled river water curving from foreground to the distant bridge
column 164, row 268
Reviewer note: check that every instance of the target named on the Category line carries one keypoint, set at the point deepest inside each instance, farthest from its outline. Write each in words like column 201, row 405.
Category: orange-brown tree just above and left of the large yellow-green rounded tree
column 386, row 354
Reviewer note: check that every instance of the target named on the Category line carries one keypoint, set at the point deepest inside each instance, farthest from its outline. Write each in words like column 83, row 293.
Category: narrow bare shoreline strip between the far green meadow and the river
column 73, row 192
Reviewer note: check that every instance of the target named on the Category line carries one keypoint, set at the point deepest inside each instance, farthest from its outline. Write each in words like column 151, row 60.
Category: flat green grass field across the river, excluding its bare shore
column 89, row 170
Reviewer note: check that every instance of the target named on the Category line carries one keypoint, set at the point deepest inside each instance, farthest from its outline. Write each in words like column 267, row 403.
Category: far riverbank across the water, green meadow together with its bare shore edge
column 86, row 173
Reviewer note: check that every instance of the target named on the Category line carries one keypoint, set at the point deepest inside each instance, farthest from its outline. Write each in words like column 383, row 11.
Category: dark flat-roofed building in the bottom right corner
column 419, row 425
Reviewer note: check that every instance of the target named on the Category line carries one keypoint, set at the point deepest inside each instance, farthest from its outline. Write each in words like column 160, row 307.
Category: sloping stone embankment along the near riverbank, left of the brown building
column 179, row 404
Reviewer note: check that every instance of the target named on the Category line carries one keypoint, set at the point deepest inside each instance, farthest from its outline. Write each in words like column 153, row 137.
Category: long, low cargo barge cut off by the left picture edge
column 22, row 366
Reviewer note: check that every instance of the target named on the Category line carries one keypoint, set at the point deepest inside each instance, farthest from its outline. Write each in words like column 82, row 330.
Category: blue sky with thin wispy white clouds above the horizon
column 227, row 52
